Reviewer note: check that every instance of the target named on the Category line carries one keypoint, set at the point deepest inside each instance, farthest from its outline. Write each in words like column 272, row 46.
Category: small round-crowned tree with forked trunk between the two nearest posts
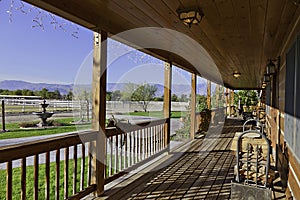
column 144, row 93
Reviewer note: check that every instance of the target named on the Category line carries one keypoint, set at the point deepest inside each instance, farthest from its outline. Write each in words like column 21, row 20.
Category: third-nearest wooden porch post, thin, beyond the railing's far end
column 193, row 105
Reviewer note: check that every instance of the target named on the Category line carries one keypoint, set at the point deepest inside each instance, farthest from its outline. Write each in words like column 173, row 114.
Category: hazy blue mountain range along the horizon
column 177, row 89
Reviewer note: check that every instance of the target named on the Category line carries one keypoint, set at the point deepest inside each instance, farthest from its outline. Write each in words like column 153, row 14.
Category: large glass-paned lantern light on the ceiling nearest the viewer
column 190, row 16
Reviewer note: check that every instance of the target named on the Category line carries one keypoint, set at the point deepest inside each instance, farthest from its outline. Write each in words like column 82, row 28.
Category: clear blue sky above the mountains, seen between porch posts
column 53, row 50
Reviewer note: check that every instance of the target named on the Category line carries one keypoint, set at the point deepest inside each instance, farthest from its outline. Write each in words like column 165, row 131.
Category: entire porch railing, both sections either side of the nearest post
column 62, row 167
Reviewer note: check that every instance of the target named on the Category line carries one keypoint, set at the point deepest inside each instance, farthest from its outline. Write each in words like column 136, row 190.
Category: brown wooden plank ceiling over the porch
column 239, row 35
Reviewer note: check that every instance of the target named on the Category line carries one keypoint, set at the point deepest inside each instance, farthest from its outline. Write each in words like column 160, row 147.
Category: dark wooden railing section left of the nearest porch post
column 64, row 161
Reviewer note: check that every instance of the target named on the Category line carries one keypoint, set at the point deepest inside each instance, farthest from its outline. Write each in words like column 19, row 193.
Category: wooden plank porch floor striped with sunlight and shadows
column 203, row 169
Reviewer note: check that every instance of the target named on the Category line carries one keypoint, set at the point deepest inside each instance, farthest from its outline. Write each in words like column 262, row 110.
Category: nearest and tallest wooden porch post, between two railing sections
column 99, row 110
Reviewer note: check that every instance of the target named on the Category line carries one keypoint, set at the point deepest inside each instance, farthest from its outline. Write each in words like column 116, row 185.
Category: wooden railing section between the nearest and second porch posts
column 129, row 145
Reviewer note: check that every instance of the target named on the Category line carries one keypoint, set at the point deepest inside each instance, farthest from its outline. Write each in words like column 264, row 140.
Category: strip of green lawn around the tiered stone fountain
column 16, row 132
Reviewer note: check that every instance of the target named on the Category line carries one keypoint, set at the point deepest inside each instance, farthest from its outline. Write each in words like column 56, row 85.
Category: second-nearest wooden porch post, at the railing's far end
column 167, row 102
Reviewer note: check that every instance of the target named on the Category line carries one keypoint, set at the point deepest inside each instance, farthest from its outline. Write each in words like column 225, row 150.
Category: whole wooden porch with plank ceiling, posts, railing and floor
column 234, row 38
